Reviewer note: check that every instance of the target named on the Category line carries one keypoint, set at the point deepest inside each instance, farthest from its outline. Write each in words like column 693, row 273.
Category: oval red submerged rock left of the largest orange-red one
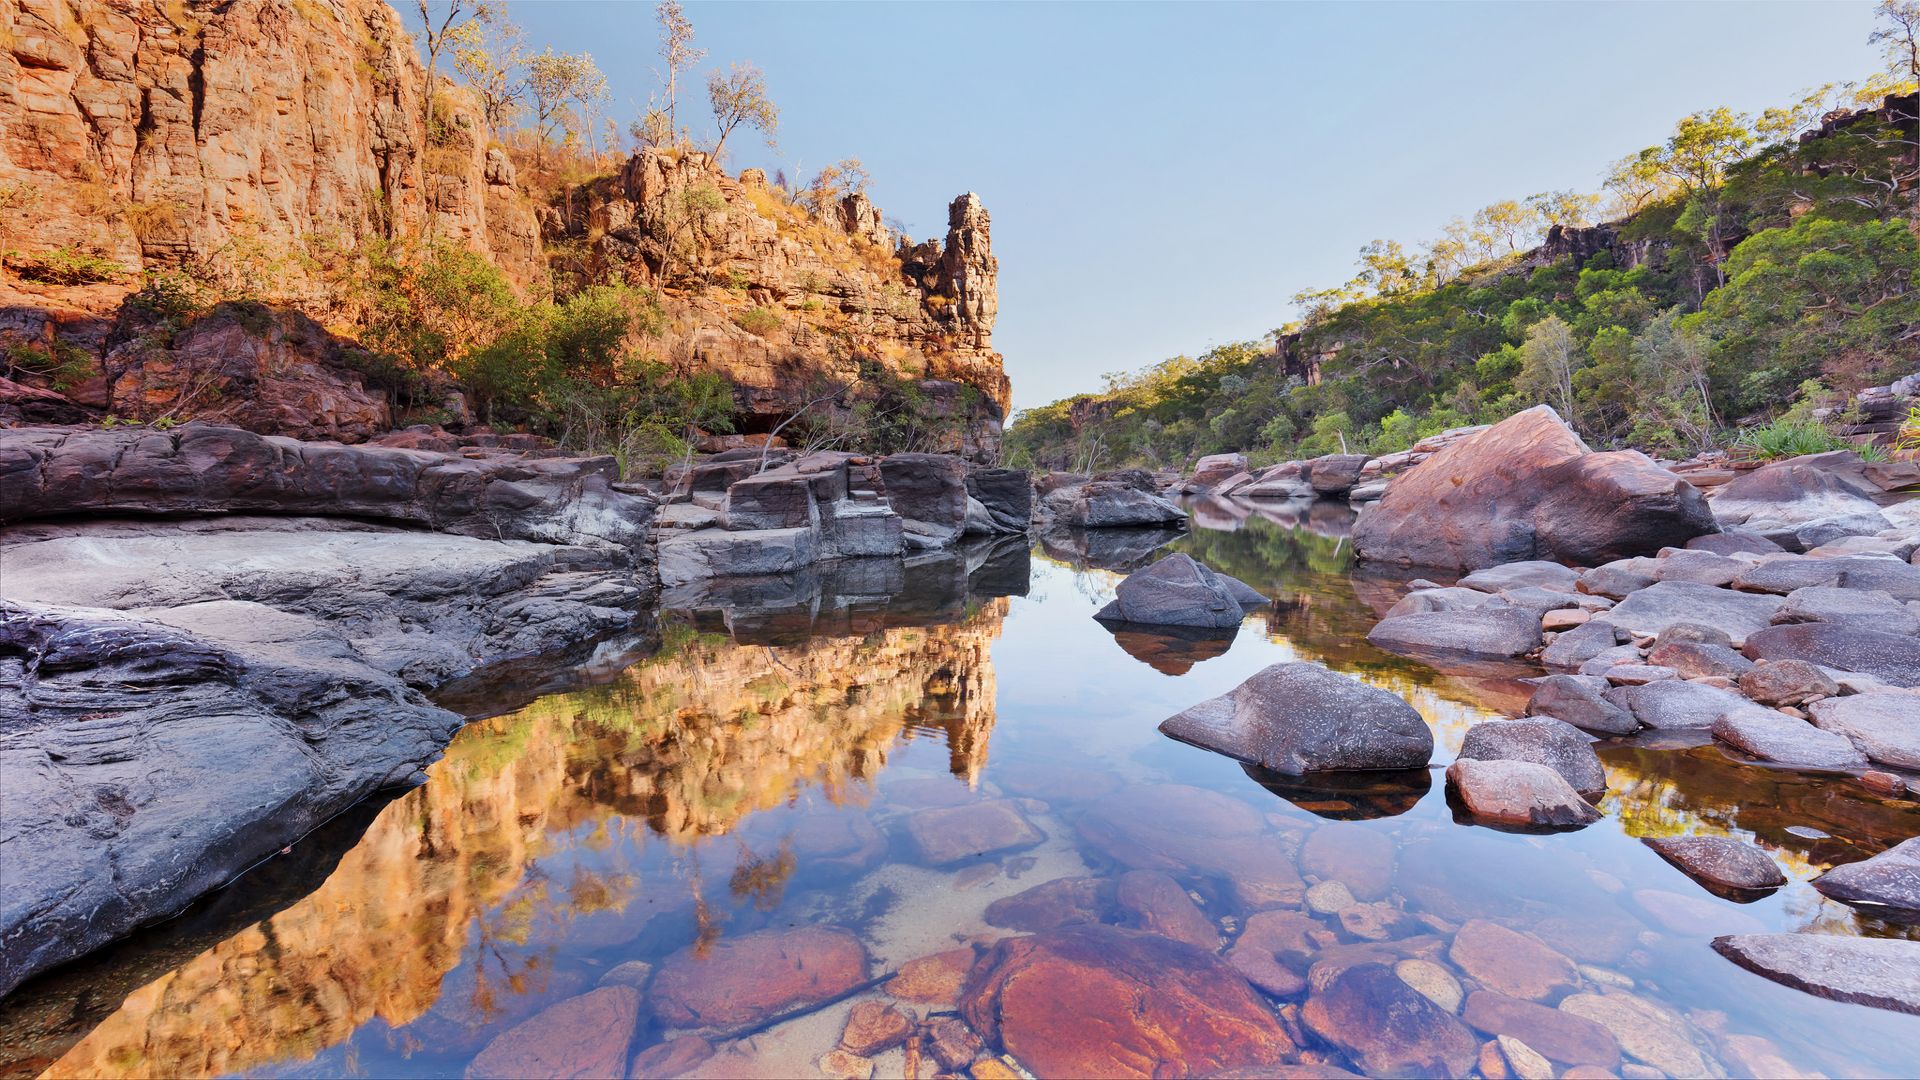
column 756, row 979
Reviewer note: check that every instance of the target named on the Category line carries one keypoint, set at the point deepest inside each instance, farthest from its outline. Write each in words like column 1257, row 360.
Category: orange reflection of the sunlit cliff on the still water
column 444, row 918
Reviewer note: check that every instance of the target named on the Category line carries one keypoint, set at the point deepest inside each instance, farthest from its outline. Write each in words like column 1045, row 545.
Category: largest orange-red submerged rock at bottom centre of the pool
column 1105, row 1002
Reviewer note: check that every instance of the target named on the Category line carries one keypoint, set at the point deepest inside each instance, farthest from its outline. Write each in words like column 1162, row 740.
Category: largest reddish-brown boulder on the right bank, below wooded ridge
column 1529, row 489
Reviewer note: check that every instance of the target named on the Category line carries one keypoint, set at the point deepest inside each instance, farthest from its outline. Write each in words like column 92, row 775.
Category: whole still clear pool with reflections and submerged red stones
column 794, row 808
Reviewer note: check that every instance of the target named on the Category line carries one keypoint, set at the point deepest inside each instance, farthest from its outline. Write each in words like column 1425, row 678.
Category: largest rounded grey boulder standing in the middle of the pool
column 1301, row 718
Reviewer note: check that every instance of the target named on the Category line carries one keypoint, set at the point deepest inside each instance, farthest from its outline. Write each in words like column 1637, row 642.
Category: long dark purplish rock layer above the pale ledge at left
column 222, row 470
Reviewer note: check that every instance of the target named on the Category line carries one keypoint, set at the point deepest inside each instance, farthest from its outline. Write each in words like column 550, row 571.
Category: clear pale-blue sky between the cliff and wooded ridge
column 1164, row 178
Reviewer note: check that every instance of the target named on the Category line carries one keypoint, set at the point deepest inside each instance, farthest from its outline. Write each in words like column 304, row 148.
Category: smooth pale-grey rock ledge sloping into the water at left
column 185, row 699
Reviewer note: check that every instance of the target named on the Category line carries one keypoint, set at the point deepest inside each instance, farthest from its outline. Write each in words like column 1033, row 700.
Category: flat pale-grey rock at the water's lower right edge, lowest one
column 1867, row 971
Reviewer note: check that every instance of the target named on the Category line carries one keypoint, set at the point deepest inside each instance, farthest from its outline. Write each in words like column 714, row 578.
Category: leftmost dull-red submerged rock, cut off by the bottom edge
column 581, row 1037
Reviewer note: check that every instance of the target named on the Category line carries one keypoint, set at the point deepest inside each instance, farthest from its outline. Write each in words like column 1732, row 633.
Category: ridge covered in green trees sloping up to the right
column 1744, row 274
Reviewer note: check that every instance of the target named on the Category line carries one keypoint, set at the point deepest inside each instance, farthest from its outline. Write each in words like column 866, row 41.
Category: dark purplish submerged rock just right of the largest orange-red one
column 1389, row 1027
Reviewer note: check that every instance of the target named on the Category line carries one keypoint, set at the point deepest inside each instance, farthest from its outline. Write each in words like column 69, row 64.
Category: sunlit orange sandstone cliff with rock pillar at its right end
column 264, row 147
